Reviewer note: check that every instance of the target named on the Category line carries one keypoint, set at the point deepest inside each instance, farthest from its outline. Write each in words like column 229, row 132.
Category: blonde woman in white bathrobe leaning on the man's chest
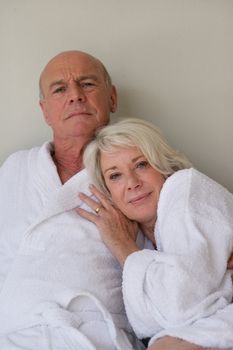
column 178, row 285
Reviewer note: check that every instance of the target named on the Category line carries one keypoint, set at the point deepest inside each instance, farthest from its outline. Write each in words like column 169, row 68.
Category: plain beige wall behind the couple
column 172, row 61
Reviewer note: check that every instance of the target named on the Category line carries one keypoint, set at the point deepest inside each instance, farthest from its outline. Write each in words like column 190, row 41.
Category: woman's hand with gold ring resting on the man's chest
column 118, row 232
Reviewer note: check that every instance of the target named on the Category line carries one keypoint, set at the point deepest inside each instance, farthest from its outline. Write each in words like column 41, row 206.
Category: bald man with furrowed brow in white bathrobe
column 60, row 286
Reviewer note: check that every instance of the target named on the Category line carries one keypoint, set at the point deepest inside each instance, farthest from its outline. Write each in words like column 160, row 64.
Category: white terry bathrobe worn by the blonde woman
column 183, row 289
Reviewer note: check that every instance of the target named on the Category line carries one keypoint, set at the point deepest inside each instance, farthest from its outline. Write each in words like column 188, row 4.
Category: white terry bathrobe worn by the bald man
column 60, row 288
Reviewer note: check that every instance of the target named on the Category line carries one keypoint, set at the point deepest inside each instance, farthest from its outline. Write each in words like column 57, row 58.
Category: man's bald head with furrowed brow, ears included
column 76, row 97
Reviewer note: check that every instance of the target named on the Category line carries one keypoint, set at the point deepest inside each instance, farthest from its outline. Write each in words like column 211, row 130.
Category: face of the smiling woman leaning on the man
column 133, row 184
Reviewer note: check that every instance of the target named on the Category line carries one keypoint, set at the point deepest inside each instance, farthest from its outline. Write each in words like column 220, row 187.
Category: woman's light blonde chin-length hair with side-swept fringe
column 138, row 133
